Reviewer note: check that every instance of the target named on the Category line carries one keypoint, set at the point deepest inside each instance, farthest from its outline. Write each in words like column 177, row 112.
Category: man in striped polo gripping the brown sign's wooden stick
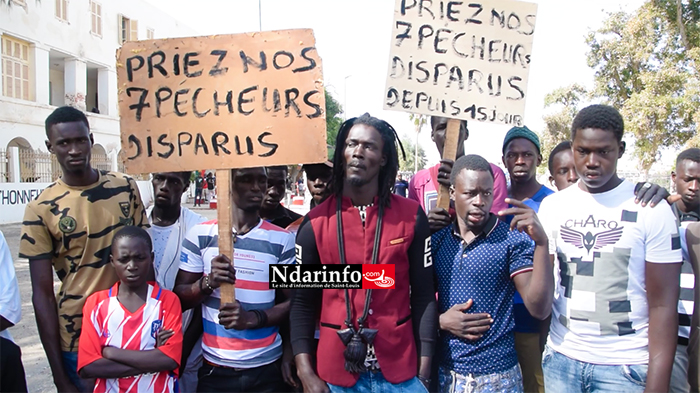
column 241, row 343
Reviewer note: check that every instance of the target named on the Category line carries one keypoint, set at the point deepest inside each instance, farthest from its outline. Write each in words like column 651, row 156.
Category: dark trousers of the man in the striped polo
column 266, row 378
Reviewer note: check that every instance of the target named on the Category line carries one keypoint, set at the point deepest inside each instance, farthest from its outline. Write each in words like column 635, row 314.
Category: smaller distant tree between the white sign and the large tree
column 558, row 123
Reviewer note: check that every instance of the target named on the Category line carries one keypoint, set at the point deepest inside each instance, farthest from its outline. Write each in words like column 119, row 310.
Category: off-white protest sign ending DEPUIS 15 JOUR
column 462, row 60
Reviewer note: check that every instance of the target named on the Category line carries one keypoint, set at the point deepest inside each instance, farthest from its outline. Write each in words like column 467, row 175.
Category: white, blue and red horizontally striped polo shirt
column 264, row 245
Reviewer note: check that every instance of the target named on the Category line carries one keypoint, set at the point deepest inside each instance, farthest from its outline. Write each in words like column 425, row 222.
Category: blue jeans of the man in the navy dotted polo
column 509, row 381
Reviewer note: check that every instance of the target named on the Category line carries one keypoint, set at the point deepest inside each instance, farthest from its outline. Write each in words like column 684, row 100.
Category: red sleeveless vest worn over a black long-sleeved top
column 390, row 310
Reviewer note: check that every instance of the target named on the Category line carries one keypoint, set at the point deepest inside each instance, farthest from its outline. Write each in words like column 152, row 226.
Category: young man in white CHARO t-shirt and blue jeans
column 614, row 319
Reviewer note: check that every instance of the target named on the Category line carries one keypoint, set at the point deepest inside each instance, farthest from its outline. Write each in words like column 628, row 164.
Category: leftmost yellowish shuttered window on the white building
column 15, row 68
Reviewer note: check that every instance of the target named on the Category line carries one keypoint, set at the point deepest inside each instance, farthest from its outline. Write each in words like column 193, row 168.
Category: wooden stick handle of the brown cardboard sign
column 224, row 212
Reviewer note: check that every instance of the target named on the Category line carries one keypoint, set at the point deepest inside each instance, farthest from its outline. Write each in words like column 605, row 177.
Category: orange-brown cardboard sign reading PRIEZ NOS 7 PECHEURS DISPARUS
column 221, row 102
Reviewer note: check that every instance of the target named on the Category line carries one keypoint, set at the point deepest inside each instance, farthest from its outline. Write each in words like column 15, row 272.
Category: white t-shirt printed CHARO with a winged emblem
column 601, row 243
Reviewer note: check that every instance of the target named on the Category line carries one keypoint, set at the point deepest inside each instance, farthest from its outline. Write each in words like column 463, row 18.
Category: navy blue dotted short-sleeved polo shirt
column 482, row 270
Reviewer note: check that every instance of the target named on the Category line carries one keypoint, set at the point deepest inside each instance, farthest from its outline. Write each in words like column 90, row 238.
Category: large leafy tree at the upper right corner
column 645, row 65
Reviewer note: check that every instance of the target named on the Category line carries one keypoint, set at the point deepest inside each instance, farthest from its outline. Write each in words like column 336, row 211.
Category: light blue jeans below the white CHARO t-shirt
column 563, row 374
